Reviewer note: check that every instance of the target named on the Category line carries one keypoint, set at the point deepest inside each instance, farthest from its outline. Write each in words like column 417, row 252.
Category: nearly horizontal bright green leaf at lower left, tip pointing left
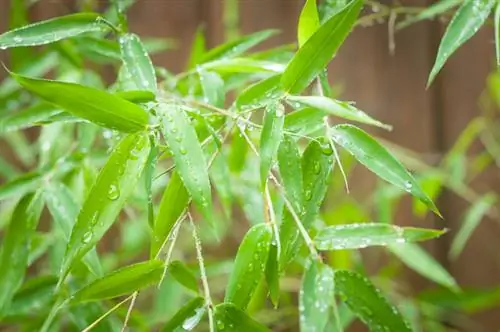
column 121, row 282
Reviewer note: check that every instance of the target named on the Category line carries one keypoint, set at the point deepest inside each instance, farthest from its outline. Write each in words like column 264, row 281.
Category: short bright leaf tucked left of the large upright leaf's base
column 259, row 94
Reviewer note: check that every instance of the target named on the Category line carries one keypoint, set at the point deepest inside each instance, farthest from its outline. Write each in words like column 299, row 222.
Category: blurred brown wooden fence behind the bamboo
column 392, row 87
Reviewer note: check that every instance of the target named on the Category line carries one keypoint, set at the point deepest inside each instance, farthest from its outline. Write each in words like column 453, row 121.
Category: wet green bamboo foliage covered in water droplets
column 105, row 156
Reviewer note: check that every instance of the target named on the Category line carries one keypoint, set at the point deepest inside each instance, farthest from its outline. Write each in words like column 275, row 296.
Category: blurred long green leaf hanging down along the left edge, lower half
column 16, row 247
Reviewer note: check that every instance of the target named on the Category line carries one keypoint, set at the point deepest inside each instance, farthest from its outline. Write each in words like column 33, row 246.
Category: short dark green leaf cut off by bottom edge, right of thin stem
column 229, row 318
